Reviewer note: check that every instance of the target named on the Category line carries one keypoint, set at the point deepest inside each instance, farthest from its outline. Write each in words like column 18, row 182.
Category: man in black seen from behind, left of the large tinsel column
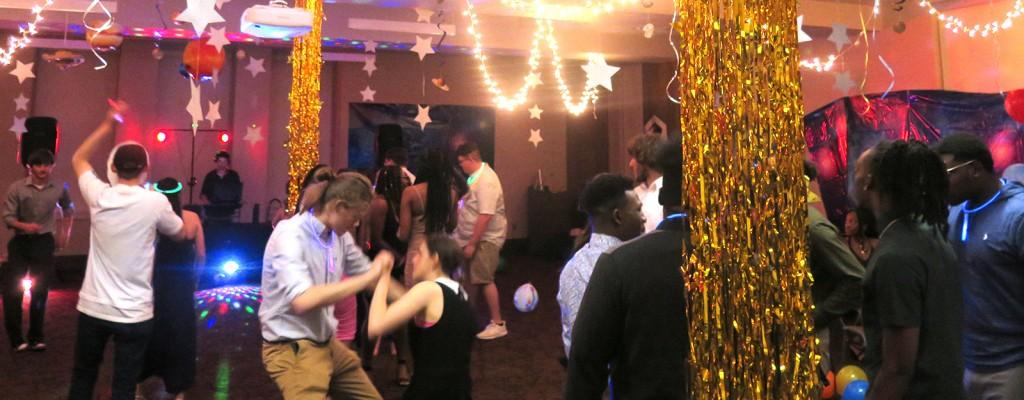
column 633, row 315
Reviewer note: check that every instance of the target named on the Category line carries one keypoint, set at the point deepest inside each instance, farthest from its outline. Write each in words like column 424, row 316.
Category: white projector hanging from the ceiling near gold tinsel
column 277, row 21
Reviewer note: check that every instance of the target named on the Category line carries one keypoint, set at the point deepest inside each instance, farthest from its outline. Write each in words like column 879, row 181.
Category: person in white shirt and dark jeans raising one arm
column 116, row 299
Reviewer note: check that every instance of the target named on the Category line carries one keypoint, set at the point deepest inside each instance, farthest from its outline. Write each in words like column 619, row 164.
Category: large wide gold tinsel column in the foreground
column 749, row 289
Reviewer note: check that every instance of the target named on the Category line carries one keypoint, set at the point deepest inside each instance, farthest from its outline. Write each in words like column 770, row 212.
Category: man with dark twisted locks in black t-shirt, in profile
column 913, row 299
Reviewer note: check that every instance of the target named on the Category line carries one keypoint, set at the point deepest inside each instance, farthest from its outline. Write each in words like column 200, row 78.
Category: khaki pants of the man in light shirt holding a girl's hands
column 304, row 370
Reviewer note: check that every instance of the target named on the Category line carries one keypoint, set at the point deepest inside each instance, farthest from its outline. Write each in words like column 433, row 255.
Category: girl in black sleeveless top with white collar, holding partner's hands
column 442, row 325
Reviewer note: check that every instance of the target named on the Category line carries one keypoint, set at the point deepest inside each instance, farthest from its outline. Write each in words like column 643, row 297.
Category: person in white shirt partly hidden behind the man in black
column 644, row 152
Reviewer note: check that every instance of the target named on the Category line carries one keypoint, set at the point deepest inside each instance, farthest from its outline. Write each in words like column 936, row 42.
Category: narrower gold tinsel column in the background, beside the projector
column 304, row 125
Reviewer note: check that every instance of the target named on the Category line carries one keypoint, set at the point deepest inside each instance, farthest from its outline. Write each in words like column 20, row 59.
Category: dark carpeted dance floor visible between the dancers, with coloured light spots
column 523, row 366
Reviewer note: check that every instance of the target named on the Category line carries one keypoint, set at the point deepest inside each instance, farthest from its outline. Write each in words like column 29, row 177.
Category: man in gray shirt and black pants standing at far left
column 30, row 211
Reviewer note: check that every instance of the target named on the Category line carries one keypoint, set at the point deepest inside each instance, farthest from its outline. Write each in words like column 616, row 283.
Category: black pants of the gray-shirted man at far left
column 32, row 254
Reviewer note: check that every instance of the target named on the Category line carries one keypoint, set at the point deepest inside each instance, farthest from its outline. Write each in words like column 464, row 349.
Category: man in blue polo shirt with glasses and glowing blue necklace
column 987, row 230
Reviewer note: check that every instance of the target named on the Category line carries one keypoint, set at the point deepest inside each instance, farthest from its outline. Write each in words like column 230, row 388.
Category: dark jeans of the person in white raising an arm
column 130, row 353
